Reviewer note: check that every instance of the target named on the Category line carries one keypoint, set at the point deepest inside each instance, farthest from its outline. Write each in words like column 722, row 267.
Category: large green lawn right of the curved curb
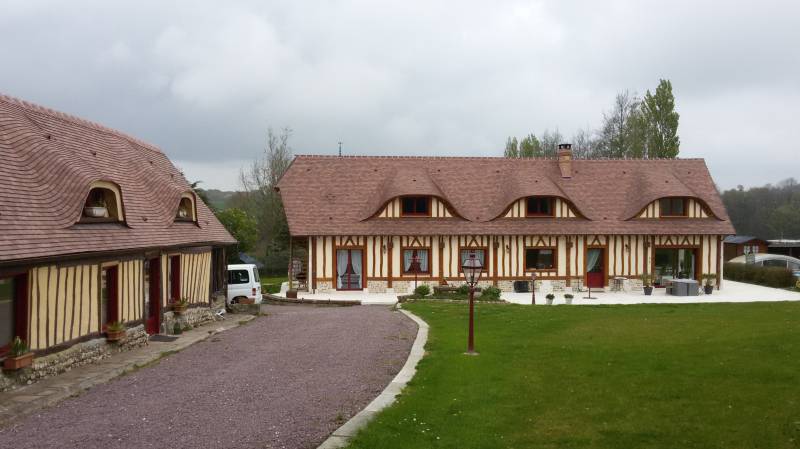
column 640, row 376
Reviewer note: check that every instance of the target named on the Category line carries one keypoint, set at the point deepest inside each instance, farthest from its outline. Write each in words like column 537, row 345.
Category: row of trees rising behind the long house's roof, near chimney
column 635, row 127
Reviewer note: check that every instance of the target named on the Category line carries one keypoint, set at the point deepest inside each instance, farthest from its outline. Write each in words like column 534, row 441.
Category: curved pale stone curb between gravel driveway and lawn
column 341, row 436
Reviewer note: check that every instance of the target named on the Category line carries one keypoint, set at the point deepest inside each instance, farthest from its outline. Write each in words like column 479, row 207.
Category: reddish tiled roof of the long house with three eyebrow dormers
column 330, row 195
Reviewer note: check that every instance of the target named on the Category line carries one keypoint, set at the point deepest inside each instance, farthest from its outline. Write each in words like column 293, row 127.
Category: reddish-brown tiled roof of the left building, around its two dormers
column 48, row 161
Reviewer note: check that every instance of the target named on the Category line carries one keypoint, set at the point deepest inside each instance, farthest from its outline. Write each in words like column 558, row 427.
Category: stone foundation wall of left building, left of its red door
column 77, row 355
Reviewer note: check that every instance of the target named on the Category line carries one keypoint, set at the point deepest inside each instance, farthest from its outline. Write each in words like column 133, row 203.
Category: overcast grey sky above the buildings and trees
column 204, row 80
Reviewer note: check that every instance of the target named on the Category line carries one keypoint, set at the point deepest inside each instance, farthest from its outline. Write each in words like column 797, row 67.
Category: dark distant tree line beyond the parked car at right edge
column 767, row 212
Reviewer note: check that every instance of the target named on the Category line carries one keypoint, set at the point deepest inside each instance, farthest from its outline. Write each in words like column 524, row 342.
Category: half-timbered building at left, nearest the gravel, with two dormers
column 95, row 227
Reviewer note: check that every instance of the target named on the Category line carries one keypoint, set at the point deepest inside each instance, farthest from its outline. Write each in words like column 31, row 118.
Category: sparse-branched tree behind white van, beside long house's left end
column 263, row 203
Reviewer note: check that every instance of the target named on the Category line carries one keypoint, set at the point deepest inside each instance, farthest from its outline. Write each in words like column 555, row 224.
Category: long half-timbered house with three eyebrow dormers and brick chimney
column 571, row 222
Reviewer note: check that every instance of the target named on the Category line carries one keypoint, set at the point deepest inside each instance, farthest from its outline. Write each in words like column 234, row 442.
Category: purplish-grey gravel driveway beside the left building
column 286, row 380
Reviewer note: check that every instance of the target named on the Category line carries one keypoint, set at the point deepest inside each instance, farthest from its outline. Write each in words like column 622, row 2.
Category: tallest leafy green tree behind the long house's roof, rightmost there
column 661, row 122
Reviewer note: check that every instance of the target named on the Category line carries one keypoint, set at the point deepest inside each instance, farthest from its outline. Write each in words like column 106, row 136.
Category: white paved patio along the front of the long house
column 731, row 292
